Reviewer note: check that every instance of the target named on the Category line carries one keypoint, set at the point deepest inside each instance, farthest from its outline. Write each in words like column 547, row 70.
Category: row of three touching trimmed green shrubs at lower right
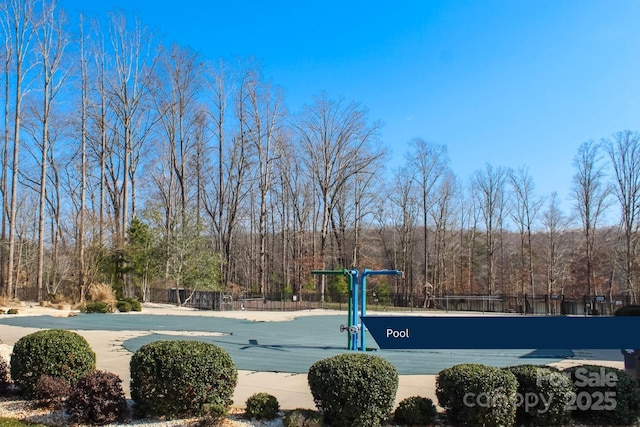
column 474, row 394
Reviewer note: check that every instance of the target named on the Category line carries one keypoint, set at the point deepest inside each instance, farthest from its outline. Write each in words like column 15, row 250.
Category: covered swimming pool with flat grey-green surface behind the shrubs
column 287, row 346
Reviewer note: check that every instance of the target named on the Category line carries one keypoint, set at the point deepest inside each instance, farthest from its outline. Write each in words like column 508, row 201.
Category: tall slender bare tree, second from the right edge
column 590, row 195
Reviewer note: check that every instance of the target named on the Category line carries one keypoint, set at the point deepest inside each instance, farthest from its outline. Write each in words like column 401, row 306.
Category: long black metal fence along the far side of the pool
column 523, row 304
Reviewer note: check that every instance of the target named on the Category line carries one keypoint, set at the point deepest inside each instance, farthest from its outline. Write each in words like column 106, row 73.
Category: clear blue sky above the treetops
column 512, row 83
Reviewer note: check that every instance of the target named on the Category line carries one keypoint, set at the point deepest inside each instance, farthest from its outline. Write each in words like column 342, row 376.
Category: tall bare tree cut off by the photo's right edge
column 624, row 153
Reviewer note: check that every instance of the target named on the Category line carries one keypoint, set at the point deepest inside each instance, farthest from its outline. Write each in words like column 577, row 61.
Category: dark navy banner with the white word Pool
column 504, row 332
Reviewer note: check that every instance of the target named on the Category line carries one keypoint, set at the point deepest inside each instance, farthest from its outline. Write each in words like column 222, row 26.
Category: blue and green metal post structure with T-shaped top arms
column 357, row 307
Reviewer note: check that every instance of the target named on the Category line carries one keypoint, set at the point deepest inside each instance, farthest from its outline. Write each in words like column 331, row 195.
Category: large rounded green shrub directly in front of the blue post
column 353, row 389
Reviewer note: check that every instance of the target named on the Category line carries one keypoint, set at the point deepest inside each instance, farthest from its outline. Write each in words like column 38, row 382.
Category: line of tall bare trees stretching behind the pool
column 140, row 164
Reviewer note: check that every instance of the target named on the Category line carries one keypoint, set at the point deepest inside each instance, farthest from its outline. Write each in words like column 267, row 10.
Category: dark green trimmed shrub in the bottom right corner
column 604, row 395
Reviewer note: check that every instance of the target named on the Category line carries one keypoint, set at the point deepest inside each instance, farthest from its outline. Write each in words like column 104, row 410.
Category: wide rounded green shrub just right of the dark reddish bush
column 181, row 378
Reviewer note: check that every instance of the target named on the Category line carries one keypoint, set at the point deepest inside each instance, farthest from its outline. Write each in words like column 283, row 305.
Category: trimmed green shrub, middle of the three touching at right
column 543, row 395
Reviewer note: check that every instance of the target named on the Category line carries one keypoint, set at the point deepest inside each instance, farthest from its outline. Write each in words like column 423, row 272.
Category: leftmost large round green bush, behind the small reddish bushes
column 53, row 352
